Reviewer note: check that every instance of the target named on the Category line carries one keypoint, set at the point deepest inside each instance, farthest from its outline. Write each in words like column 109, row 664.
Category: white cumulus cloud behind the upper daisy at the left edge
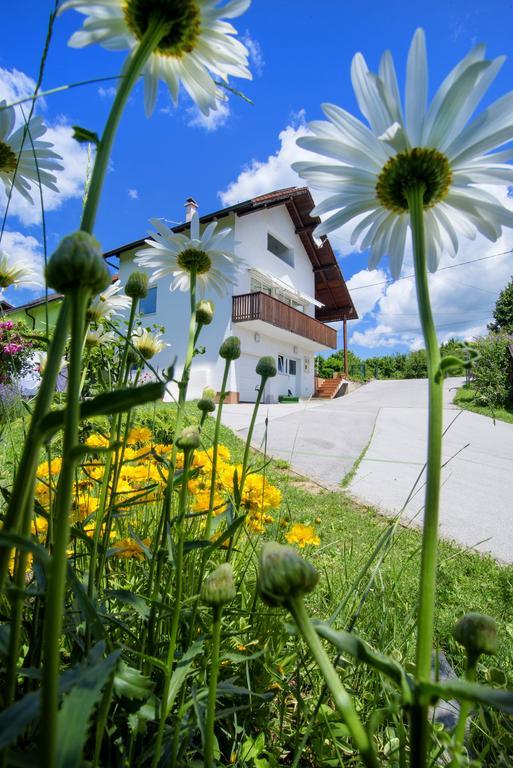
column 70, row 181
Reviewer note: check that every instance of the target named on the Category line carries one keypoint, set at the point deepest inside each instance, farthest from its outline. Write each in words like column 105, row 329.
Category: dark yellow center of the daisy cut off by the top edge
column 183, row 17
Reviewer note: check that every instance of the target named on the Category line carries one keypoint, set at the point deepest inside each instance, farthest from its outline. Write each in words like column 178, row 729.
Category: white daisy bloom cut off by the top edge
column 199, row 45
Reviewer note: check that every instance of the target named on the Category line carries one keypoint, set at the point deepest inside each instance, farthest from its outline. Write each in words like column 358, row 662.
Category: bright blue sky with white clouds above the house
column 301, row 56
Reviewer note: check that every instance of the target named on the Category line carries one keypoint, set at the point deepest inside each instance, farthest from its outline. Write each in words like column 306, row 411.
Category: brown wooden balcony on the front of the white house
column 261, row 306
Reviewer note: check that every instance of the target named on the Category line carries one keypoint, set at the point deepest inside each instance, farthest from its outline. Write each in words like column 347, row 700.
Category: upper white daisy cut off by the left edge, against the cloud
column 19, row 152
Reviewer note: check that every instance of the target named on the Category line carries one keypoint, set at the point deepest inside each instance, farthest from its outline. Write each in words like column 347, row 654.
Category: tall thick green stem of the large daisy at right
column 425, row 625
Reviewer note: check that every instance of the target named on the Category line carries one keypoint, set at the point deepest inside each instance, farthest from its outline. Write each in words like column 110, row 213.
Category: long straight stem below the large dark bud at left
column 56, row 586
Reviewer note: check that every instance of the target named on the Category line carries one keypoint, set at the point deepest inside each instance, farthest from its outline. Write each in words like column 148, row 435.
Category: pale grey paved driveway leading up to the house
column 322, row 440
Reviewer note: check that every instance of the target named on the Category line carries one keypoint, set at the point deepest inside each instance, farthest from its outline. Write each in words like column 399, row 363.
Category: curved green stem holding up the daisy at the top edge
column 155, row 31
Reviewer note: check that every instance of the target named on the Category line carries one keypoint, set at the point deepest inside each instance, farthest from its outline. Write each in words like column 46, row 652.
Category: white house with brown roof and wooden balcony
column 289, row 289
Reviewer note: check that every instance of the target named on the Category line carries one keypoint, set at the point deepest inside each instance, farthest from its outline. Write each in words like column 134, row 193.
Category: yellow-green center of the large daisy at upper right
column 411, row 168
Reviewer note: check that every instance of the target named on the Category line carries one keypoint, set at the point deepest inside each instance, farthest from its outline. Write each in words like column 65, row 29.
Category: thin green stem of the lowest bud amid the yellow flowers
column 177, row 607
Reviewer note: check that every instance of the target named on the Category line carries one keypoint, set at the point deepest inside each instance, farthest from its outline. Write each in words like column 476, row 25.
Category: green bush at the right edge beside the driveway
column 493, row 371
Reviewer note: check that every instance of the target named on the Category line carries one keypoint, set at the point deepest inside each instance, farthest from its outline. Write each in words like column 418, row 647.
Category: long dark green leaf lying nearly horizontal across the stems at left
column 105, row 404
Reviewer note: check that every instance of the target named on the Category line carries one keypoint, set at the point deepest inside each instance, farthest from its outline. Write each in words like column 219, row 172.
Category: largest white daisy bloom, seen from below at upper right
column 434, row 144
